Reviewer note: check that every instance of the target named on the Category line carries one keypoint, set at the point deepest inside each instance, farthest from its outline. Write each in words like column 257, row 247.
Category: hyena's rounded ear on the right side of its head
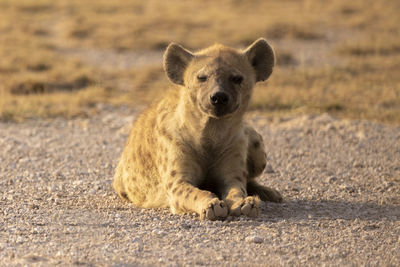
column 262, row 57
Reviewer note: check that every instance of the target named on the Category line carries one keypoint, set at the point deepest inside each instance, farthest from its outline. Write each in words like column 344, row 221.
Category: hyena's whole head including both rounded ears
column 219, row 79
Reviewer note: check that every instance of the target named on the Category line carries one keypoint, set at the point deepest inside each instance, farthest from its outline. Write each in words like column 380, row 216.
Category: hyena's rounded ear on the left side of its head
column 176, row 60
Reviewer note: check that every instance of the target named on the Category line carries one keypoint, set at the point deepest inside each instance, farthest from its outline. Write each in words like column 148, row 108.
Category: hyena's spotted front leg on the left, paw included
column 184, row 196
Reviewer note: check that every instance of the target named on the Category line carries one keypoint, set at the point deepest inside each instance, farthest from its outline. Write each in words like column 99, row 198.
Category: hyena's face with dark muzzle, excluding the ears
column 216, row 85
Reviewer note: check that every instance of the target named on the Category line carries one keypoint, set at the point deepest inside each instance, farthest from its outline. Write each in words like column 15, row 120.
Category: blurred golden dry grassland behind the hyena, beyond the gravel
column 70, row 57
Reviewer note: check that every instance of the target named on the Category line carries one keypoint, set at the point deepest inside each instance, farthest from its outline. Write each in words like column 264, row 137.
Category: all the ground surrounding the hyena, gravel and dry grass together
column 75, row 74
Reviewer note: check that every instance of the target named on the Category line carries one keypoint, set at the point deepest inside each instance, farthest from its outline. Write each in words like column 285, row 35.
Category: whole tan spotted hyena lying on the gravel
column 193, row 151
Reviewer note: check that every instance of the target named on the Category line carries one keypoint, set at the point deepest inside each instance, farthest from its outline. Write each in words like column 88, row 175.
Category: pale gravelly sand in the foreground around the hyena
column 340, row 180
